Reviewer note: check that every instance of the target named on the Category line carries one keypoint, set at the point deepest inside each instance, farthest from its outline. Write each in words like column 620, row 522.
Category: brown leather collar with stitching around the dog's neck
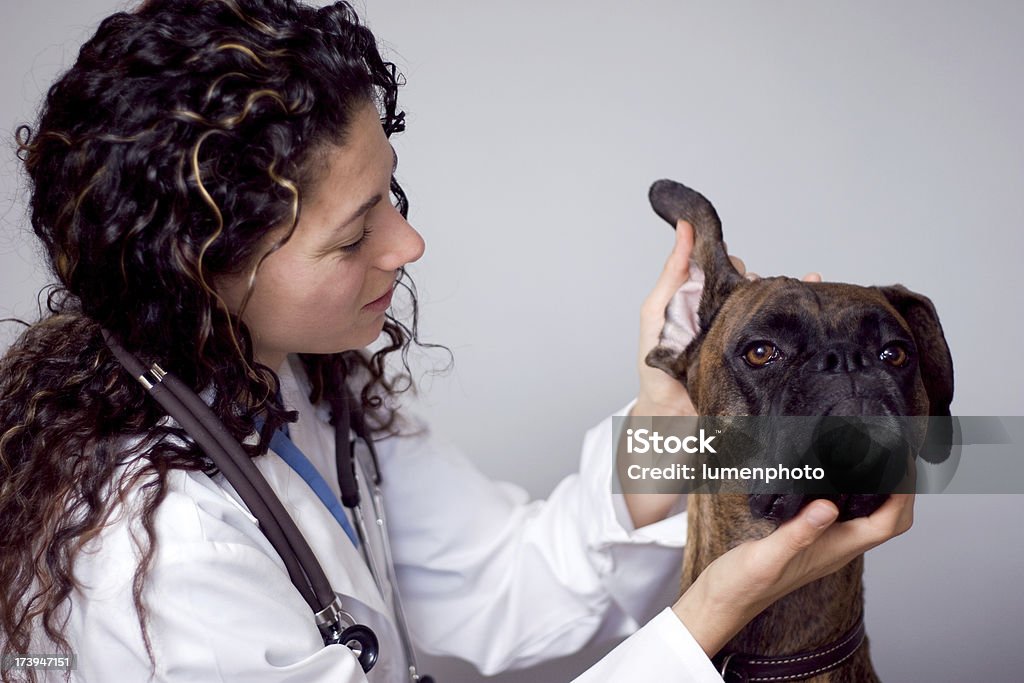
column 754, row 668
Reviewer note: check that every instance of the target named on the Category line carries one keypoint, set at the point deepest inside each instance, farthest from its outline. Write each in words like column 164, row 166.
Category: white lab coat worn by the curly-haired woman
column 485, row 575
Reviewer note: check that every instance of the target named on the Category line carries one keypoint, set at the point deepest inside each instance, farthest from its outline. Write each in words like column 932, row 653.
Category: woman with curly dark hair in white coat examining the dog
column 212, row 184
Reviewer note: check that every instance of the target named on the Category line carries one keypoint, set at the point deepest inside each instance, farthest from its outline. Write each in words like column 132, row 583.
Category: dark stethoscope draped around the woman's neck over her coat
column 206, row 430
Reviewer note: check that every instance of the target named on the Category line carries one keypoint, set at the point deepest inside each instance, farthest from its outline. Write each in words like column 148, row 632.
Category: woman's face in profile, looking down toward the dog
column 326, row 290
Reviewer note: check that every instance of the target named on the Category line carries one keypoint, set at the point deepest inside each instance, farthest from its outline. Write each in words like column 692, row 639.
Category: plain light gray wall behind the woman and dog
column 876, row 143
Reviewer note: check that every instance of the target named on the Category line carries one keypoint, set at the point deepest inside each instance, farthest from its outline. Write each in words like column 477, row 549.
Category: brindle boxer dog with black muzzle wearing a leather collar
column 783, row 347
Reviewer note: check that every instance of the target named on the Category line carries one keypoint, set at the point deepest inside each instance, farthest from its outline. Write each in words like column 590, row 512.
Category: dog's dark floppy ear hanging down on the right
column 934, row 363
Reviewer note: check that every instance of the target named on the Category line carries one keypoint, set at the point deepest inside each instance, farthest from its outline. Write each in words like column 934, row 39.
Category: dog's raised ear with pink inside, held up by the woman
column 675, row 352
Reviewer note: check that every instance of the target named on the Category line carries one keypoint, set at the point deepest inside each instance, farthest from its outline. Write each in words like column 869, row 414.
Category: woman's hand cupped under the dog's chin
column 738, row 586
